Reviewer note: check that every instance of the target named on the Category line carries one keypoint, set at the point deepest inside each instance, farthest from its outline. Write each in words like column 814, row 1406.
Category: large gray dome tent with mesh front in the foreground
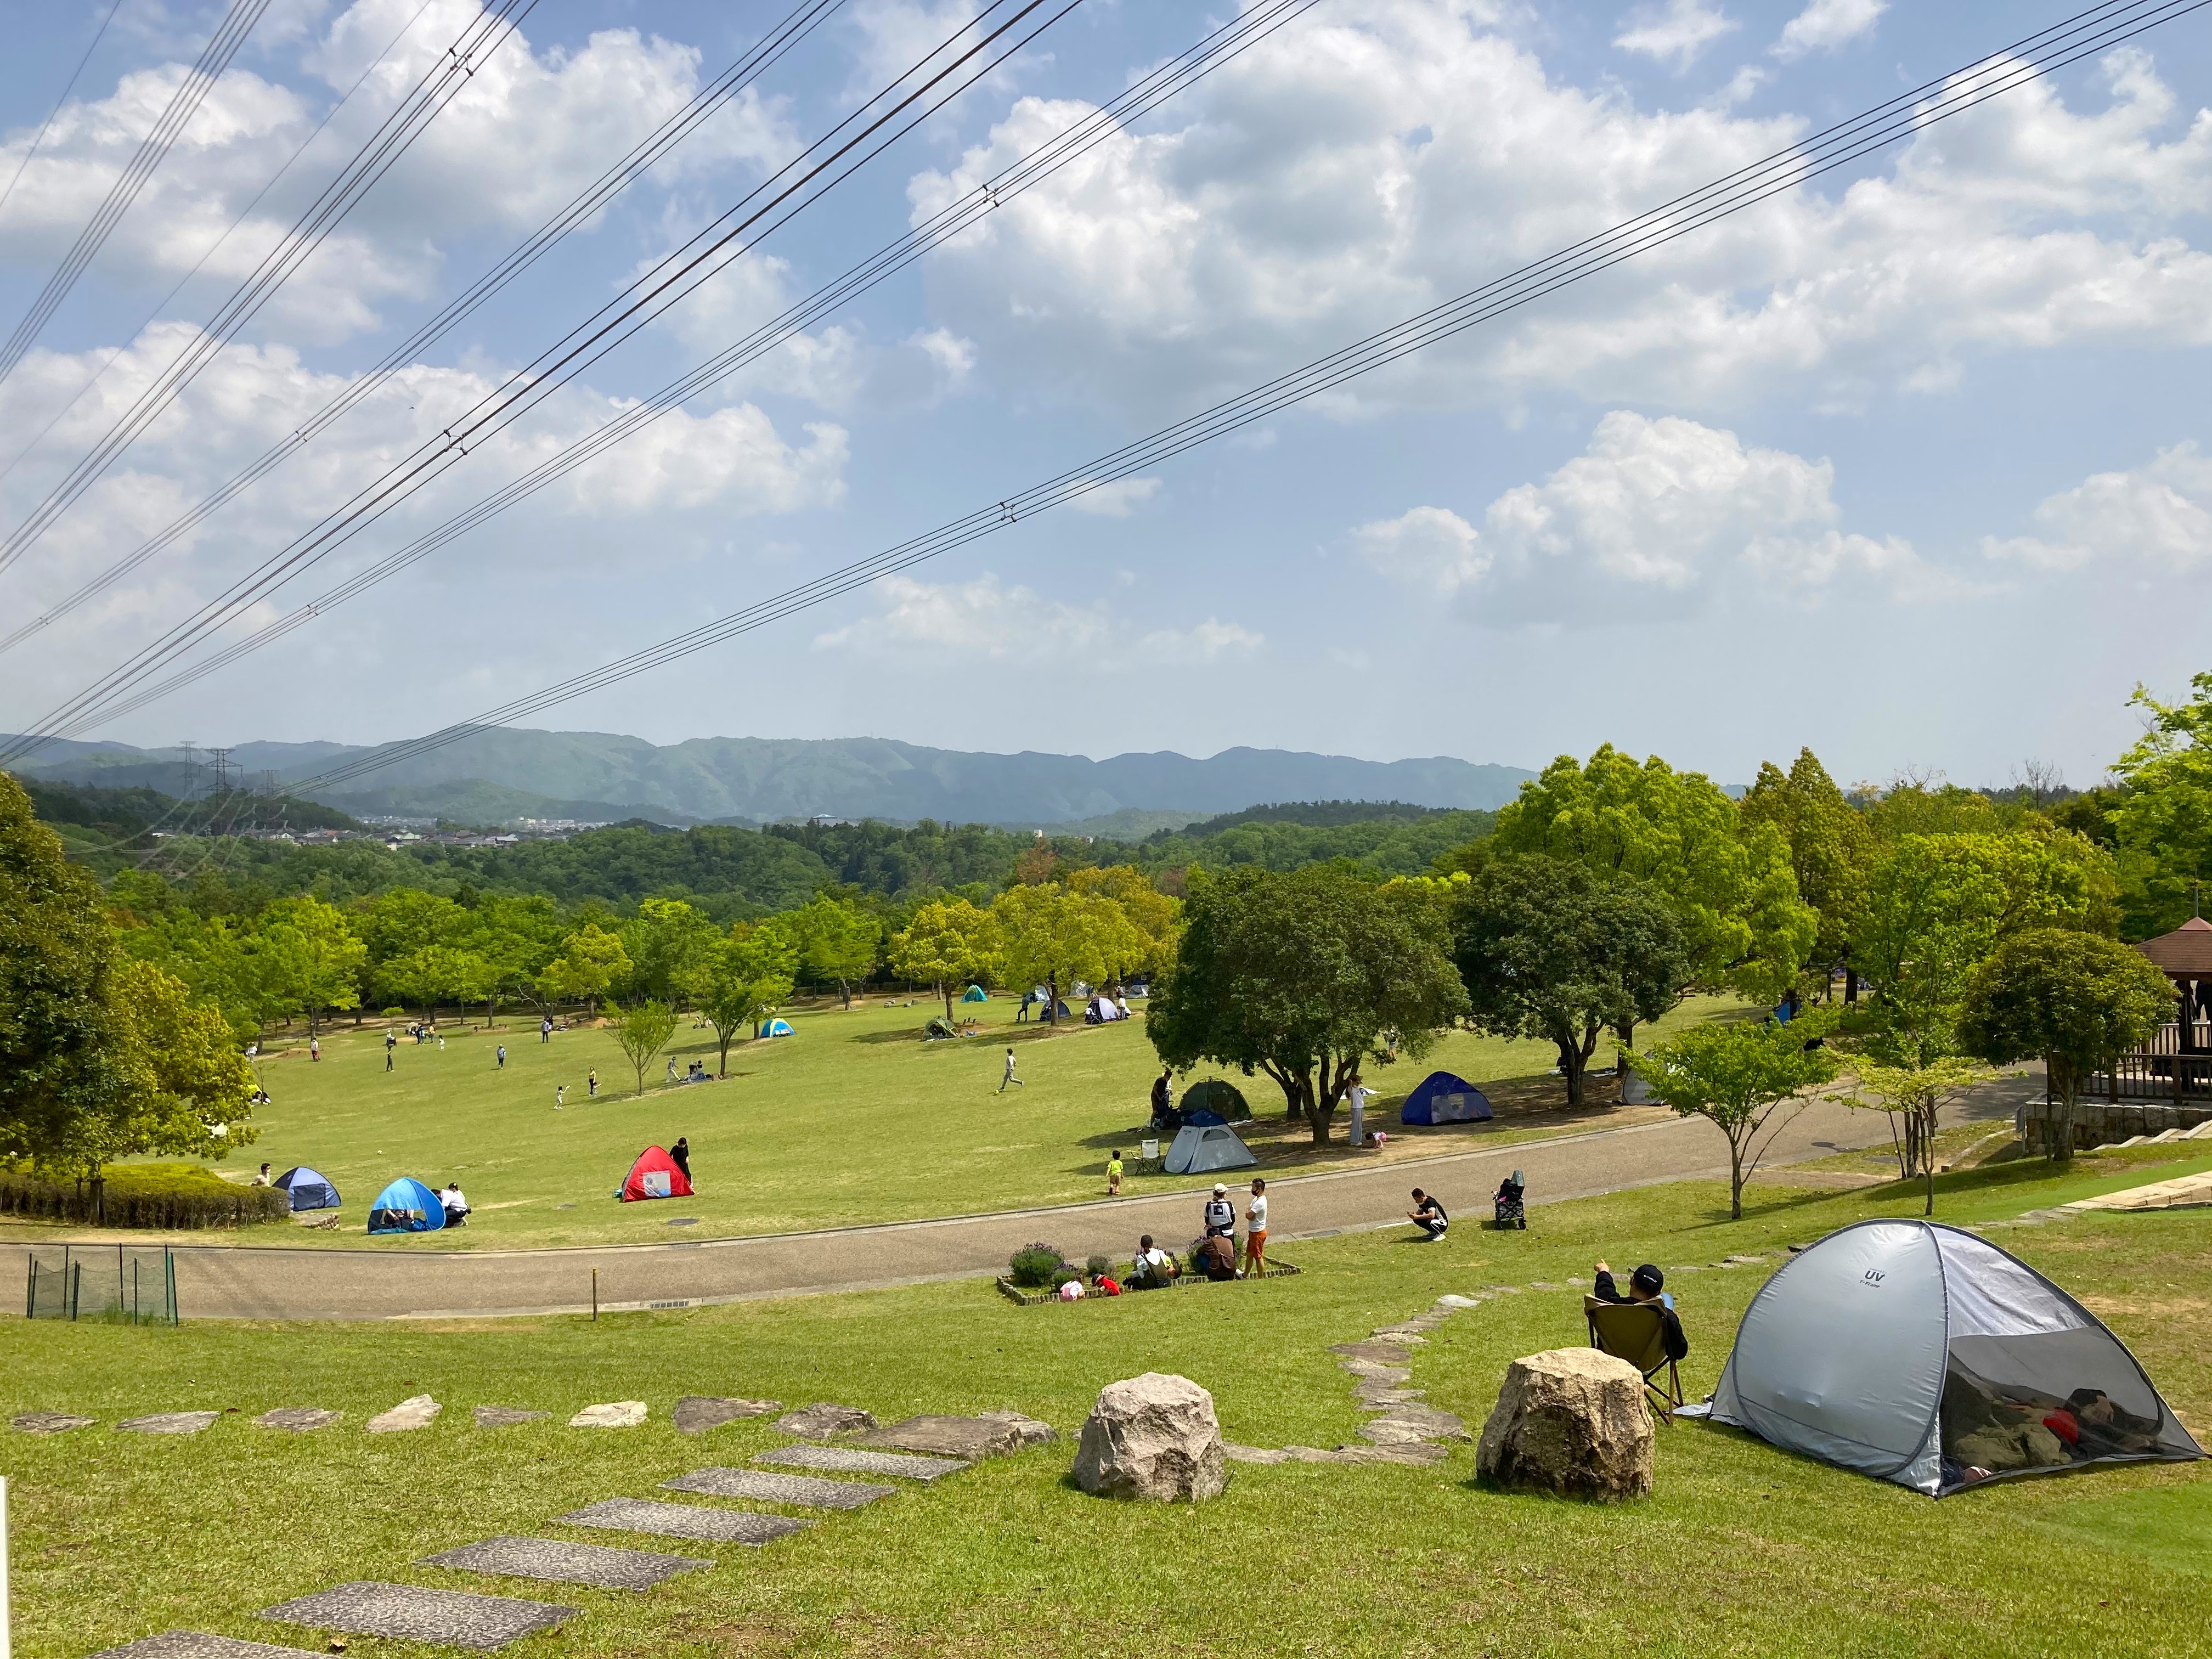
column 1928, row 1357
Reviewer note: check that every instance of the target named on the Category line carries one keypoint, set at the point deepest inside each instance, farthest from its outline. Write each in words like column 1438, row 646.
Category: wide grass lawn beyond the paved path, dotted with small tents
column 846, row 1123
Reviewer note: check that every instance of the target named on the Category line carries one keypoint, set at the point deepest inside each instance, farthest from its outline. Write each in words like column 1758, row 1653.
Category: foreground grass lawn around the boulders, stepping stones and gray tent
column 1740, row 1552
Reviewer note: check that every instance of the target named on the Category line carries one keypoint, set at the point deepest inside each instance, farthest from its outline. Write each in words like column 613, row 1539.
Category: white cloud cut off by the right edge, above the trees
column 2158, row 514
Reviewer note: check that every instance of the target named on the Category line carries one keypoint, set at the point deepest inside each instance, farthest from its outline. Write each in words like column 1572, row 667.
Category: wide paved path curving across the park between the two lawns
column 267, row 1282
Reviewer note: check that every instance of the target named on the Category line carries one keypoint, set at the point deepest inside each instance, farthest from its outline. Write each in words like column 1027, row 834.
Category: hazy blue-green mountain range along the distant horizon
column 505, row 775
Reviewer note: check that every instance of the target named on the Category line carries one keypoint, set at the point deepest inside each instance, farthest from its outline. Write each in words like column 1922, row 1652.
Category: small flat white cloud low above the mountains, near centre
column 990, row 623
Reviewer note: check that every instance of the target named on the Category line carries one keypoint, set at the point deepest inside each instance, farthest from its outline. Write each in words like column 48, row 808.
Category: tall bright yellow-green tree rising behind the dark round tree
column 1726, row 877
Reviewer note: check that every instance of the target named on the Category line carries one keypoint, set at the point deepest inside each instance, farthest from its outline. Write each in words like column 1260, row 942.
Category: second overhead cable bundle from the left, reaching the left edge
column 446, row 79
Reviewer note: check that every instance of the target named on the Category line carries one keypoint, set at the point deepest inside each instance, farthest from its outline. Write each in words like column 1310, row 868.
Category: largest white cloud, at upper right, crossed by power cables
column 1386, row 156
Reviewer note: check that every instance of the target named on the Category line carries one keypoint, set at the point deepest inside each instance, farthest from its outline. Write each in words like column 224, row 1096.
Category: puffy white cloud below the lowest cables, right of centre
column 1653, row 517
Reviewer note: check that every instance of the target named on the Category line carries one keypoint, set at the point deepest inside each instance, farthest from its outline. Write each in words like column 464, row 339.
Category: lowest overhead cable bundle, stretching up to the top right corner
column 1994, row 76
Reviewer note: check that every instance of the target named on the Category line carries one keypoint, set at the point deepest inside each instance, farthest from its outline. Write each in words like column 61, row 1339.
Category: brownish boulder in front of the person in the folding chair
column 1574, row 1423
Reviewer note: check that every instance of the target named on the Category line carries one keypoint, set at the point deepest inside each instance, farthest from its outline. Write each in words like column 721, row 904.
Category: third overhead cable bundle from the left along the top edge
column 541, row 242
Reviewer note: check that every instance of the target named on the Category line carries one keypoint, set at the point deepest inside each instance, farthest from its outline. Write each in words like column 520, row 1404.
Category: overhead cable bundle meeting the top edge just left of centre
column 643, row 302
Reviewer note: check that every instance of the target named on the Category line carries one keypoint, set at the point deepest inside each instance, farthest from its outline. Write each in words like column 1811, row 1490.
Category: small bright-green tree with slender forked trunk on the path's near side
column 1742, row 1076
